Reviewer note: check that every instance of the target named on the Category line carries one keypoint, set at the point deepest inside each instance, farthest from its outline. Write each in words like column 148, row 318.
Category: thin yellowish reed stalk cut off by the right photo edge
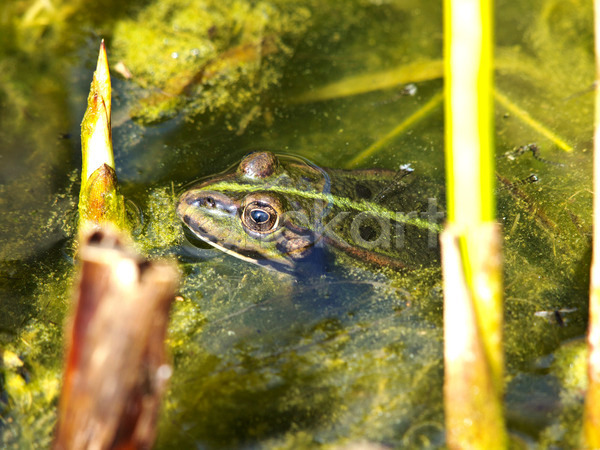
column 591, row 418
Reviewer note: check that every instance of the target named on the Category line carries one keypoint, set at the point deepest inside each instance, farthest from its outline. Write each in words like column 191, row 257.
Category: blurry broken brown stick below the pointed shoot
column 116, row 365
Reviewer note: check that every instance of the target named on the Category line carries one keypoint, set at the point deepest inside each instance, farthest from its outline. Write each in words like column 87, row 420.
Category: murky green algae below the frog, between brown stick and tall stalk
column 326, row 367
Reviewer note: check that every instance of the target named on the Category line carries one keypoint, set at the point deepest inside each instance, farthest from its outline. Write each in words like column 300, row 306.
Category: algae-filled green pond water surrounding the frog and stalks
column 262, row 359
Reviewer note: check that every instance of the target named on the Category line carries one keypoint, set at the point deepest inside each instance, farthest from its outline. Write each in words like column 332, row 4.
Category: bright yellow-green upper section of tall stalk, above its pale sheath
column 469, row 106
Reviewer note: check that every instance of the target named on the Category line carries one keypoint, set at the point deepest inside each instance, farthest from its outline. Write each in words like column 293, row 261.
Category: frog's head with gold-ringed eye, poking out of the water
column 250, row 212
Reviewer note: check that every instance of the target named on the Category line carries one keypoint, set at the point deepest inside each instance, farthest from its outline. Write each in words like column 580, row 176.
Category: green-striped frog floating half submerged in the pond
column 286, row 213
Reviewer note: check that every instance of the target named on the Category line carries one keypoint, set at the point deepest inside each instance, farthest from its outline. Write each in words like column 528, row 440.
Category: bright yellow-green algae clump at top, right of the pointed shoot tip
column 211, row 58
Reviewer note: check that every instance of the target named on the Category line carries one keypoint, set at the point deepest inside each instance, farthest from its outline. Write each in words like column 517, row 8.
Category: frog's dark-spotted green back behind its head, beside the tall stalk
column 390, row 218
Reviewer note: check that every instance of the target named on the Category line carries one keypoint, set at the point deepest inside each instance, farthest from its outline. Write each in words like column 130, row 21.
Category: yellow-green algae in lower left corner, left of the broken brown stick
column 28, row 409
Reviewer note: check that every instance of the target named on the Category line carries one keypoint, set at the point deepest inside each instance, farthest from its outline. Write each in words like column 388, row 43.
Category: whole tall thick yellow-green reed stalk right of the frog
column 471, row 255
